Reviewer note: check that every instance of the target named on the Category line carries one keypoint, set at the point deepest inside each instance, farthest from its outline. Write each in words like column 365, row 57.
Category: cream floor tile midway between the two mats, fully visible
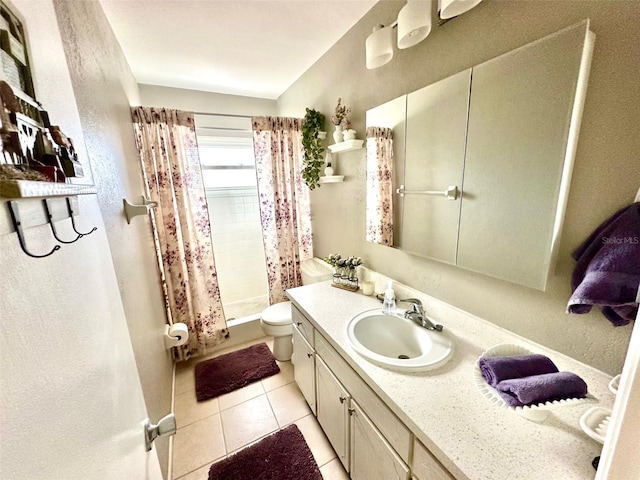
column 247, row 422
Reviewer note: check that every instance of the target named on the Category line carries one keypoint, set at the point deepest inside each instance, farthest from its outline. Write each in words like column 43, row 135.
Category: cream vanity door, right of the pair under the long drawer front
column 371, row 455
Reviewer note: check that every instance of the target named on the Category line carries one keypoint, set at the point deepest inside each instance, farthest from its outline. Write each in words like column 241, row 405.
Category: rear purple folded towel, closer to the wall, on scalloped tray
column 497, row 369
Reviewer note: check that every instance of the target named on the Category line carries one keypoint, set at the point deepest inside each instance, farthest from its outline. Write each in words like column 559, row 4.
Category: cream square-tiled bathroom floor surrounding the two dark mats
column 211, row 430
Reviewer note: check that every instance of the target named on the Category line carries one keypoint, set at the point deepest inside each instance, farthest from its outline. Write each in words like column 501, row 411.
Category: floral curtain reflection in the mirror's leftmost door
column 379, row 214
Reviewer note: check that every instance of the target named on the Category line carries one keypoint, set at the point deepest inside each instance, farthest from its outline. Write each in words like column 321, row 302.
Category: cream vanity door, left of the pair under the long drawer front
column 333, row 412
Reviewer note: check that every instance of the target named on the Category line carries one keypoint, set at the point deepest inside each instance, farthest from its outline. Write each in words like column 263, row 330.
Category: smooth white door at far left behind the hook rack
column 72, row 402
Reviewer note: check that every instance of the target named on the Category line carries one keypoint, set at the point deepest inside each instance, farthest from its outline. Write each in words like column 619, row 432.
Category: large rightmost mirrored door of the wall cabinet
column 523, row 122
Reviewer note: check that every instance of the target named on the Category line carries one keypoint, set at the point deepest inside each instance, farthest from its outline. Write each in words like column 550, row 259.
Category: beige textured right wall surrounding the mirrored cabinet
column 606, row 174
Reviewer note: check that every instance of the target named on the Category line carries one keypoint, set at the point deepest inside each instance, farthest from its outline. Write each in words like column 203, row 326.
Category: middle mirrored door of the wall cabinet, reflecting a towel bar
column 436, row 134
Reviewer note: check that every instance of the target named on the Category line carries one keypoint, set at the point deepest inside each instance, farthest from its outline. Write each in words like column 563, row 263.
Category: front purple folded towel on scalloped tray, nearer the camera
column 518, row 392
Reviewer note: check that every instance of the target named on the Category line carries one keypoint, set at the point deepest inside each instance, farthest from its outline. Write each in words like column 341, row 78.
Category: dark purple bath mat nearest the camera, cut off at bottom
column 281, row 456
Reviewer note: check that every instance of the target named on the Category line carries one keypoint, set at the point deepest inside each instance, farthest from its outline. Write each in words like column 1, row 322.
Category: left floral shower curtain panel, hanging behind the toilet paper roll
column 166, row 141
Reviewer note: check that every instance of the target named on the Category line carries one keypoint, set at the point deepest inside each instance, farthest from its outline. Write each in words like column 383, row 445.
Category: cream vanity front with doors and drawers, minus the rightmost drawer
column 370, row 441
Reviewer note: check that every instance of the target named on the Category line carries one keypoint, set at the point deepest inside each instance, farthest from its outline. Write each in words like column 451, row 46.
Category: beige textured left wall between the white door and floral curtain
column 104, row 89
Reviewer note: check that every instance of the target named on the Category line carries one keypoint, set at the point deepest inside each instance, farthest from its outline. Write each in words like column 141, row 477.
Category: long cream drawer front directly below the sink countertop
column 385, row 420
